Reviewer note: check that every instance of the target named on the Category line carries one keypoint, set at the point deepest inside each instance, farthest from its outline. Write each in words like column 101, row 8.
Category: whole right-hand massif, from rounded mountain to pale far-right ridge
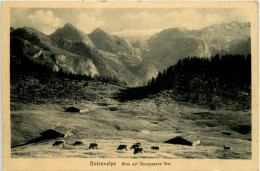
column 170, row 45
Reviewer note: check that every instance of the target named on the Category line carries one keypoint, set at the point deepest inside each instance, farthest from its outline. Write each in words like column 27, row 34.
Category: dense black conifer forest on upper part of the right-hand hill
column 225, row 72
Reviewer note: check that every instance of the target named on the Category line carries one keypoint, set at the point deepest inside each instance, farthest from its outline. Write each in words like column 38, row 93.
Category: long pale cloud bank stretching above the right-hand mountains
column 146, row 23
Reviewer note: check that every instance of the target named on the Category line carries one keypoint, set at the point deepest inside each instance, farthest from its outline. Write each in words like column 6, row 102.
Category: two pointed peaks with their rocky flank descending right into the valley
column 107, row 63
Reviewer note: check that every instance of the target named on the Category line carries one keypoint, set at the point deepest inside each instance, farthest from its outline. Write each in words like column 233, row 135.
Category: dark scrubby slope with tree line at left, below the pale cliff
column 37, row 83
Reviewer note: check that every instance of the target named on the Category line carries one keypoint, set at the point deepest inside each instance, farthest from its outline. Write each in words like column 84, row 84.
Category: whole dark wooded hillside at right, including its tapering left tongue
column 215, row 81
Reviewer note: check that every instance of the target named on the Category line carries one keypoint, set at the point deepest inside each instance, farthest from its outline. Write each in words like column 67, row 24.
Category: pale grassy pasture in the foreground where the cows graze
column 110, row 123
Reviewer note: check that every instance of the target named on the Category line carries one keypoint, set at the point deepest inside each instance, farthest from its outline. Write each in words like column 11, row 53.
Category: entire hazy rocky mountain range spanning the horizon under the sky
column 99, row 53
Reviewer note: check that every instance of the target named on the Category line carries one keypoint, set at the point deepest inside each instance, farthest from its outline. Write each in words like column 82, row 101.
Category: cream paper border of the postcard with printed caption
column 80, row 163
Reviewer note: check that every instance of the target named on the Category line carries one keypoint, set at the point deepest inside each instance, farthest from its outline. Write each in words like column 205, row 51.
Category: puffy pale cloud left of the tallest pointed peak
column 45, row 21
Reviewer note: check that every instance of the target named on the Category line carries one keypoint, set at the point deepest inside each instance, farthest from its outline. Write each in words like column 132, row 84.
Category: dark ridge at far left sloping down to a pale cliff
column 57, row 59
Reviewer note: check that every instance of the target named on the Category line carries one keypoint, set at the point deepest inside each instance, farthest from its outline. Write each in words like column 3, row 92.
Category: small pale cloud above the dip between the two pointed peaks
column 87, row 23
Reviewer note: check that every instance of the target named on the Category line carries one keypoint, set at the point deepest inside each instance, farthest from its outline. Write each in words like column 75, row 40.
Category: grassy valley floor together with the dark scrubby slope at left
column 37, row 106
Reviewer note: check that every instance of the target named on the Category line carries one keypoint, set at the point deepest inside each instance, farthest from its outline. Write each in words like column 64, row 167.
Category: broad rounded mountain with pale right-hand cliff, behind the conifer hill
column 167, row 47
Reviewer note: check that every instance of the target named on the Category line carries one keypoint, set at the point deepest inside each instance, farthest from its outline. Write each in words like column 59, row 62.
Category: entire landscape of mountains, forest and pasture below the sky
column 174, row 83
